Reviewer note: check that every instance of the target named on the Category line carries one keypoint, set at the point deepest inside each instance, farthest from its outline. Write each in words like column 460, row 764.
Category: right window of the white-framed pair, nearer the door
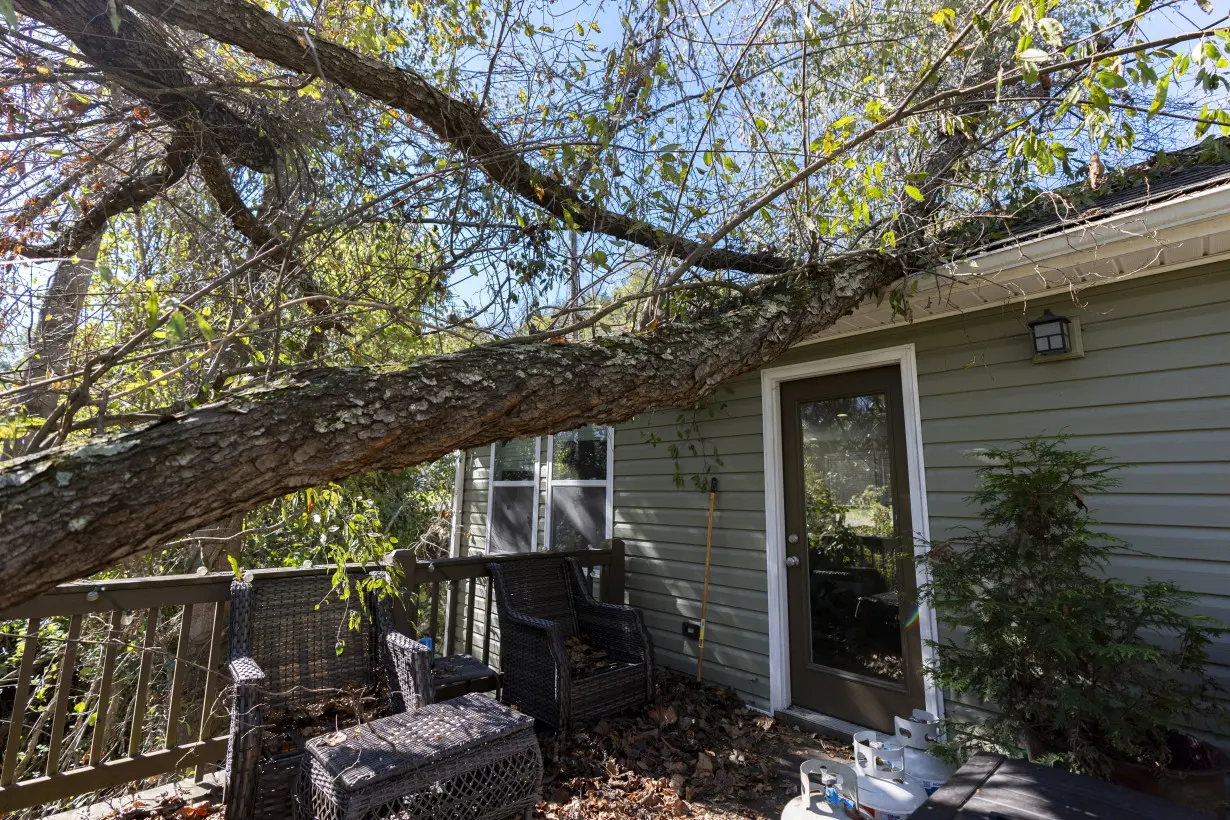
column 579, row 510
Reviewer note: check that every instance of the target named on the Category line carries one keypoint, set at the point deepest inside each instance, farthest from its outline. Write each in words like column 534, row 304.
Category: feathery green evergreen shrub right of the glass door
column 1083, row 668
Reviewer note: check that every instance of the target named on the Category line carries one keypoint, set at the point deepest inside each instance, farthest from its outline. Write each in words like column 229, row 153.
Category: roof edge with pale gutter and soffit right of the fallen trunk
column 1170, row 213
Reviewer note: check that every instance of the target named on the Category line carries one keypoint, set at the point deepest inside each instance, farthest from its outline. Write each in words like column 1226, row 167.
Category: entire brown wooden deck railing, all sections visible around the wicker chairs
column 163, row 642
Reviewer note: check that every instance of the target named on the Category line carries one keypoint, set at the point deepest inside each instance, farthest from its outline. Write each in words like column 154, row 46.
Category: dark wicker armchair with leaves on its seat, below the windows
column 544, row 602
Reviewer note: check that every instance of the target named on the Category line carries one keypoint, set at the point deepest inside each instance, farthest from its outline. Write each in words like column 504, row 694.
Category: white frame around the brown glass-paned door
column 776, row 507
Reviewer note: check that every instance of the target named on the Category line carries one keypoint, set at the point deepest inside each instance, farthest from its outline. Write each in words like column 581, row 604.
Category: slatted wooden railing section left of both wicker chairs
column 65, row 712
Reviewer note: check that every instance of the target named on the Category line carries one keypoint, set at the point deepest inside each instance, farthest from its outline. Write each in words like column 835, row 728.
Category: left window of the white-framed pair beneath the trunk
column 512, row 500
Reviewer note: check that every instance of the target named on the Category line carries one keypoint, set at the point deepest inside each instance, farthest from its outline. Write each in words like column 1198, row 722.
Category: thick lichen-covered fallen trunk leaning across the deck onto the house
column 74, row 511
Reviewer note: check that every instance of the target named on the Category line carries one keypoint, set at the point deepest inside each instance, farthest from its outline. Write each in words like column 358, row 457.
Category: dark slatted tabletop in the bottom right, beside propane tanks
column 991, row 787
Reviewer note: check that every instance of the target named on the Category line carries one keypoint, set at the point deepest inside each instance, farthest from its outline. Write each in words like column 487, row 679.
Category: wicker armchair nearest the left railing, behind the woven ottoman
column 284, row 656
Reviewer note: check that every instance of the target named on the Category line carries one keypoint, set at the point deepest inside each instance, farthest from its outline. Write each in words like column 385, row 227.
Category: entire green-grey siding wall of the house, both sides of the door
column 1153, row 389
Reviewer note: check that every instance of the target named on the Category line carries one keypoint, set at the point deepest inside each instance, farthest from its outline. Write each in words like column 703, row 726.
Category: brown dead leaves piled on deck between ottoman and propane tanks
column 696, row 753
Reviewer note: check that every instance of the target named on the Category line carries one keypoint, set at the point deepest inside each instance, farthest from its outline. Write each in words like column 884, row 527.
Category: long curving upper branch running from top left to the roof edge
column 458, row 124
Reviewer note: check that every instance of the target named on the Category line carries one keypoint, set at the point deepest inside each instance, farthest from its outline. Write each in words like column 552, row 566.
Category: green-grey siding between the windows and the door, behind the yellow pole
column 664, row 528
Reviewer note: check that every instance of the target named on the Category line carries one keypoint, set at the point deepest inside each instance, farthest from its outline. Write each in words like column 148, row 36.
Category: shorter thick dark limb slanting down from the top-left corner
column 140, row 60
